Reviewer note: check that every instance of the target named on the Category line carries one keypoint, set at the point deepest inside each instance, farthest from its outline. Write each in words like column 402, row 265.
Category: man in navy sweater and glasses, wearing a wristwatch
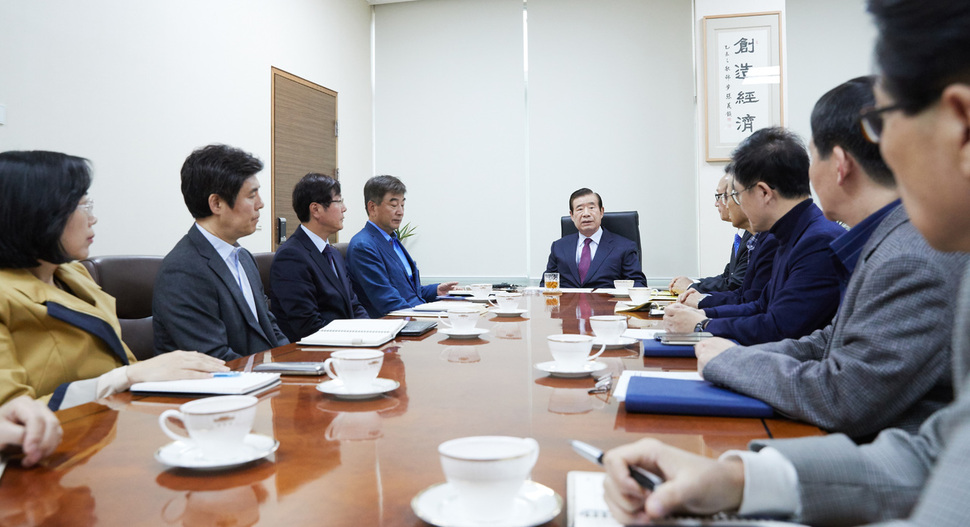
column 771, row 186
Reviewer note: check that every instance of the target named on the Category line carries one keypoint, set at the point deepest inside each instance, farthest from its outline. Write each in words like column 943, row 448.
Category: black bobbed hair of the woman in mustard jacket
column 39, row 191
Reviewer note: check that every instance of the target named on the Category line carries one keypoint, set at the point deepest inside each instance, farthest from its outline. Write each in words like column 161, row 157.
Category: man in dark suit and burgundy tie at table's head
column 594, row 256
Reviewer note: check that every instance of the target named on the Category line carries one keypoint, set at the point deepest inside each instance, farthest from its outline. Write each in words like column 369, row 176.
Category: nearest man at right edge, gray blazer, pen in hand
column 922, row 121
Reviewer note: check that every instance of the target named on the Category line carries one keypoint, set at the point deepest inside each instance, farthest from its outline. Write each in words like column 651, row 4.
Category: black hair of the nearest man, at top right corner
column 921, row 48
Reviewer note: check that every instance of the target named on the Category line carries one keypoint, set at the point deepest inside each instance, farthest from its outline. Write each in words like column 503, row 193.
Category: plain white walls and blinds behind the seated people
column 136, row 86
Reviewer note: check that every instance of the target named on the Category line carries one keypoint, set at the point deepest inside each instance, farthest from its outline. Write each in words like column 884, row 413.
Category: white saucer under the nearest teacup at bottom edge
column 534, row 505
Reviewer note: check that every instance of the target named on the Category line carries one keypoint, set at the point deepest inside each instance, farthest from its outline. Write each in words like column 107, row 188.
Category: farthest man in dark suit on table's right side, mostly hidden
column 734, row 272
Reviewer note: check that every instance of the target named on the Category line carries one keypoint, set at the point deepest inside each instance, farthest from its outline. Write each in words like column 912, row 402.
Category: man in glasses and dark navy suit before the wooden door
column 310, row 283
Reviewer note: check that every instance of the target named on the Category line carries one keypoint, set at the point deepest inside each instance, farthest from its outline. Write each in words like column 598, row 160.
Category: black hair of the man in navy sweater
column 776, row 157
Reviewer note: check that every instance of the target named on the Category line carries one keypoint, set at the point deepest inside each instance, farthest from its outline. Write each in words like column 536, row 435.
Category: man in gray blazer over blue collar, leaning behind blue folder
column 892, row 332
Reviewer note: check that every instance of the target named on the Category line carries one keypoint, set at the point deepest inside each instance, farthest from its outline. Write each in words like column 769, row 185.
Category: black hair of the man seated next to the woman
column 215, row 169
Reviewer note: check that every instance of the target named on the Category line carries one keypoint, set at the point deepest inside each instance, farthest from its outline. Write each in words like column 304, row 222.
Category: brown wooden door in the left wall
column 304, row 136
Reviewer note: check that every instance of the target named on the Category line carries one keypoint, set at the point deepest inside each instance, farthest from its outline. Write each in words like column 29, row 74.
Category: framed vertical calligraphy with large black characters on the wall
column 742, row 88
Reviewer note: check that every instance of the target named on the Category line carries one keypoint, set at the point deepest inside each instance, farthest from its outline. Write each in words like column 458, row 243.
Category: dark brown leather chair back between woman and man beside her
column 131, row 280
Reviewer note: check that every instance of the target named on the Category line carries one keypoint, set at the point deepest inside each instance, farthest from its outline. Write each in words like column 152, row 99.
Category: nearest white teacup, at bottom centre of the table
column 488, row 472
